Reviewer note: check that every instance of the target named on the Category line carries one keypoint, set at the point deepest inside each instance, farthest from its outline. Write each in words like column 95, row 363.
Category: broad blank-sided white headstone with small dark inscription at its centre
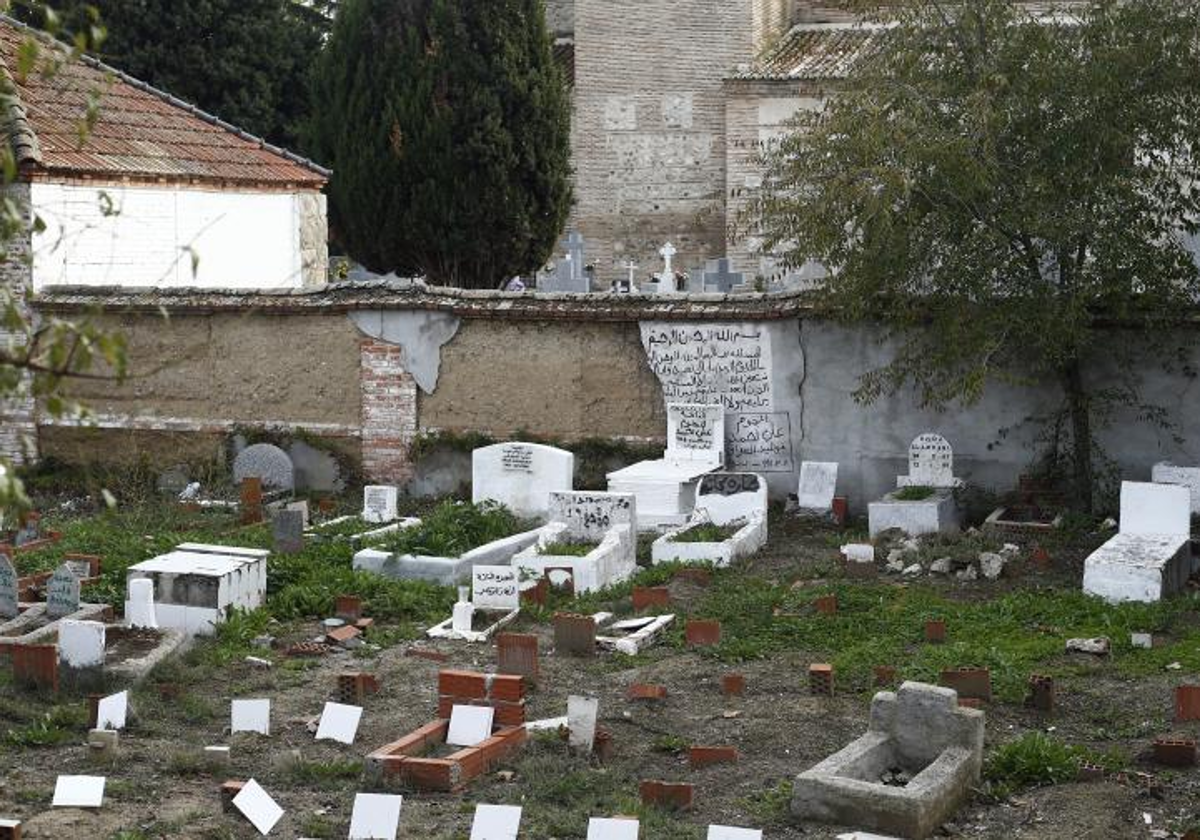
column 521, row 477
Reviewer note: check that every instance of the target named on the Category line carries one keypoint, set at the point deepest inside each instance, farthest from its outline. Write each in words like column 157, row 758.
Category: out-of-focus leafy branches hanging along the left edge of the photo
column 38, row 352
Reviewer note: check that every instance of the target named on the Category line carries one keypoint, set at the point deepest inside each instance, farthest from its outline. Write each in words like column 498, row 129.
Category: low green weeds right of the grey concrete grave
column 1036, row 760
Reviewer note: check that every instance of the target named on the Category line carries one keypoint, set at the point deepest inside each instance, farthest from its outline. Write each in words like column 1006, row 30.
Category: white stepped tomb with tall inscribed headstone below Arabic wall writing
column 667, row 489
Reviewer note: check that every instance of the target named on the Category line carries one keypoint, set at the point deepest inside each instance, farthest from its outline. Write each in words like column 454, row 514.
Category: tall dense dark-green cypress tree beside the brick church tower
column 447, row 127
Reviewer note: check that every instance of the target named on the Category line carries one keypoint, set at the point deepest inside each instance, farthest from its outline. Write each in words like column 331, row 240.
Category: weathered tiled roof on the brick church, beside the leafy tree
column 817, row 52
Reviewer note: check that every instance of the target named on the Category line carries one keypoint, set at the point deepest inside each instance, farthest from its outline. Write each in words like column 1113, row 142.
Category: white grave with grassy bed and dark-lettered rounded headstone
column 736, row 502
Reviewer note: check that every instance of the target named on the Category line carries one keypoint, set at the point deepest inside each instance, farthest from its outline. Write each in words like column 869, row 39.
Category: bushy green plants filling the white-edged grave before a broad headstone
column 457, row 527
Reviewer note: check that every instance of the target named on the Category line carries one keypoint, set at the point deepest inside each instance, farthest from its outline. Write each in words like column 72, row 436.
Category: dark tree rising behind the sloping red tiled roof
column 248, row 62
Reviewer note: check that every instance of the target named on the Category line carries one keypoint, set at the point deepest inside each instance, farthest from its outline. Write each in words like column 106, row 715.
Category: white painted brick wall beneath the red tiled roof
column 147, row 237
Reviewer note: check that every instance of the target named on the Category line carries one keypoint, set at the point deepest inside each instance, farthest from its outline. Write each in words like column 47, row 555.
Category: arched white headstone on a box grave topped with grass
column 923, row 502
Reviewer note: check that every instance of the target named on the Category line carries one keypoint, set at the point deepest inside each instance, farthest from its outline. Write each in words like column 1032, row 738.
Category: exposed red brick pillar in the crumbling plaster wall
column 389, row 413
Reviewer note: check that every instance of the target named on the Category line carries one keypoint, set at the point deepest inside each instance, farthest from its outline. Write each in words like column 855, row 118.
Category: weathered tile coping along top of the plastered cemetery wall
column 405, row 295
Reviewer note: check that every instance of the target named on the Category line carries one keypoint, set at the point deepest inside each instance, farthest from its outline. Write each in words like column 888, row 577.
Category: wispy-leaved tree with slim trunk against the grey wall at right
column 999, row 190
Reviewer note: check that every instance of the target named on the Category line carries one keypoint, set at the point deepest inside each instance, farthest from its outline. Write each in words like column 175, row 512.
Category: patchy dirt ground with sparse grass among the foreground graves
column 158, row 788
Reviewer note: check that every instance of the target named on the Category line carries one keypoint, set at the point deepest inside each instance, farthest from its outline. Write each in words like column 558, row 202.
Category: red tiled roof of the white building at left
column 141, row 131
